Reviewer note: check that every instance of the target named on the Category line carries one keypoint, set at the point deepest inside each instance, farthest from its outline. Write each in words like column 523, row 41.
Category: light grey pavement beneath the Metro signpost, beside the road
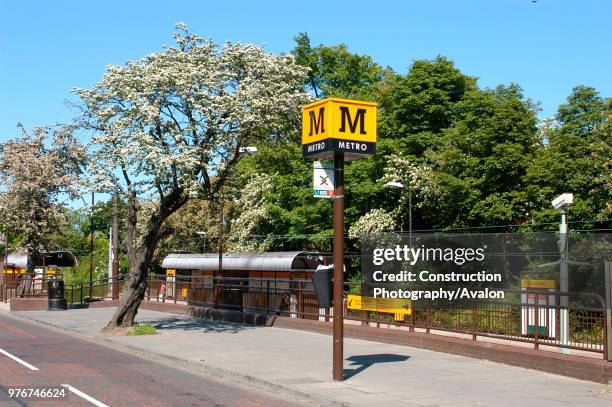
column 298, row 362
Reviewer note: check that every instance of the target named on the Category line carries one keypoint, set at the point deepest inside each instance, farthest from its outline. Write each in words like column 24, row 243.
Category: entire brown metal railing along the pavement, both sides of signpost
column 518, row 317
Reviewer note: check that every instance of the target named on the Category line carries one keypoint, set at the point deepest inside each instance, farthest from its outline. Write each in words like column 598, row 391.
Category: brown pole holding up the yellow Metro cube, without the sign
column 338, row 255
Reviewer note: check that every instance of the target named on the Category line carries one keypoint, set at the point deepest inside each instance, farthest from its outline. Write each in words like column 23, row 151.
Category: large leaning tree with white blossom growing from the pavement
column 163, row 124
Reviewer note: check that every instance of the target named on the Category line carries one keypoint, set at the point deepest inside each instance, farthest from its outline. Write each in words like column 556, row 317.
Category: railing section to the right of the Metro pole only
column 525, row 315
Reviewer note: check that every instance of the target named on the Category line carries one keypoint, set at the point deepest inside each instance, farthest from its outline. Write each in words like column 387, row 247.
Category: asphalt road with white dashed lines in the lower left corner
column 97, row 375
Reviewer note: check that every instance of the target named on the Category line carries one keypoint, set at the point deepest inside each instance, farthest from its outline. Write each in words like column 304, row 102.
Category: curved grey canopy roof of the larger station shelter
column 271, row 261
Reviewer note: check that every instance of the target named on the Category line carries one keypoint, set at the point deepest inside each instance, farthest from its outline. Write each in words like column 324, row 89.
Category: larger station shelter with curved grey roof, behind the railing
column 277, row 282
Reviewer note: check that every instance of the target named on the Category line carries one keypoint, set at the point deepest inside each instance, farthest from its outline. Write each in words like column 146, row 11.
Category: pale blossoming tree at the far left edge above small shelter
column 37, row 170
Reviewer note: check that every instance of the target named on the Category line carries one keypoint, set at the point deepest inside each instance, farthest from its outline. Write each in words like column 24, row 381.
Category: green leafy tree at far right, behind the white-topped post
column 574, row 156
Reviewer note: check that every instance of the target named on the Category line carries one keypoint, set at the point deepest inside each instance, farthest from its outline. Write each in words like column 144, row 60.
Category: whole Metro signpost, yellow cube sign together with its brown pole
column 341, row 129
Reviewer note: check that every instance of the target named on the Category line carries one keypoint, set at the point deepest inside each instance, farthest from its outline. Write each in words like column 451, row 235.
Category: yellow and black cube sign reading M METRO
column 339, row 125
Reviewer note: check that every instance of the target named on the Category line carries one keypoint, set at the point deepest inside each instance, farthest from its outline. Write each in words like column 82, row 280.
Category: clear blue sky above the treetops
column 547, row 47
